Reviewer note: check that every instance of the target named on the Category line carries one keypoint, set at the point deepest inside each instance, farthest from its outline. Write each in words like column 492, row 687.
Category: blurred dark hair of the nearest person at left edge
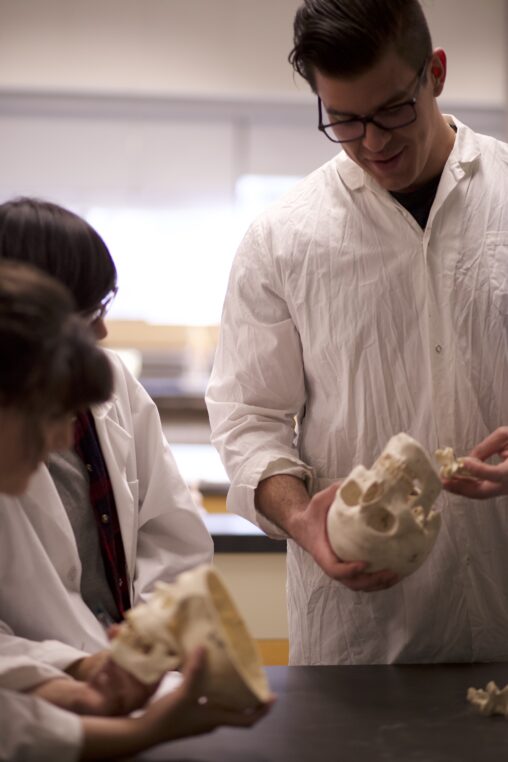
column 50, row 364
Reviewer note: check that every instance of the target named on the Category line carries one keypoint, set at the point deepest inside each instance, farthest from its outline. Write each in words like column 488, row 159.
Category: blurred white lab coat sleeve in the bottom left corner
column 32, row 730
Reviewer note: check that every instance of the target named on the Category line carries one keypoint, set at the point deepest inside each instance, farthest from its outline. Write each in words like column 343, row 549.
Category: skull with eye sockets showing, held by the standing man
column 383, row 516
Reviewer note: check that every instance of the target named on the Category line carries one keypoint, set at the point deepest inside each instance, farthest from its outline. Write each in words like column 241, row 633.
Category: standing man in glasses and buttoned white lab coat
column 372, row 300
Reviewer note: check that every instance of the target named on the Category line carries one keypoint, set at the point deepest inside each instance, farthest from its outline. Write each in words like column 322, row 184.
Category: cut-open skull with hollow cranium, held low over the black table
column 196, row 610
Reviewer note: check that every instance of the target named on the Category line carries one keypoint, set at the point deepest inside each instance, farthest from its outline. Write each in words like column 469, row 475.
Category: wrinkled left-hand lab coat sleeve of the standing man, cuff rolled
column 257, row 385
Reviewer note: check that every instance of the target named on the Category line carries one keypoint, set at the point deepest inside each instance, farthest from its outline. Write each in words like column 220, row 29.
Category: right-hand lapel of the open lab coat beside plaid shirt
column 116, row 444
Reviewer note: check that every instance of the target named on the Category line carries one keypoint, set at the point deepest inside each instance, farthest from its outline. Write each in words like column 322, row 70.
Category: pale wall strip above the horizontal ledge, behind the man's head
column 225, row 48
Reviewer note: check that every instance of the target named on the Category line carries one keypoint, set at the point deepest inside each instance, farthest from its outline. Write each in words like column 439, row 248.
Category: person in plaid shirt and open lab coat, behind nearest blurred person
column 110, row 515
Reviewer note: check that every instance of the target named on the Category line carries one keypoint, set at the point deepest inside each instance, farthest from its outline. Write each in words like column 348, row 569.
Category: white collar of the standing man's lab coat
column 463, row 159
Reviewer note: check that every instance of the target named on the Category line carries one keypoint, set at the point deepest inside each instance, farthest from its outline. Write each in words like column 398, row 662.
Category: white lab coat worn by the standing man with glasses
column 342, row 311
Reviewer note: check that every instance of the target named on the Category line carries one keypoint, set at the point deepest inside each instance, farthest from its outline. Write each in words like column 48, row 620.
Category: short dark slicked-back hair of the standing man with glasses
column 345, row 38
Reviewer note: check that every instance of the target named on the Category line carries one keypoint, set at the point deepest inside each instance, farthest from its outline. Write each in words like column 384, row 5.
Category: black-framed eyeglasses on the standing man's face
column 353, row 127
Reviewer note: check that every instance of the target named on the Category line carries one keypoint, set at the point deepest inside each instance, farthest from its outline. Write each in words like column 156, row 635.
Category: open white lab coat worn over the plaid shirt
column 162, row 531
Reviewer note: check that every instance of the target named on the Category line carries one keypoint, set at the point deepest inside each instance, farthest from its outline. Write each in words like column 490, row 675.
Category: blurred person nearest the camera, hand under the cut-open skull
column 50, row 368
